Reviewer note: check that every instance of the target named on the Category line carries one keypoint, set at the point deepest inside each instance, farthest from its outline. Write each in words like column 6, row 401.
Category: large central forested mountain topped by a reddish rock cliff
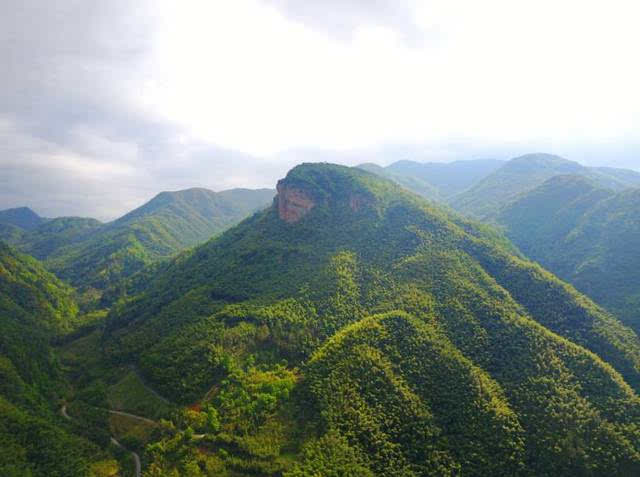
column 355, row 329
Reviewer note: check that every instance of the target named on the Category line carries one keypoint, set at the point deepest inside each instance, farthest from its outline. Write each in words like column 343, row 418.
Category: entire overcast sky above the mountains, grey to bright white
column 105, row 103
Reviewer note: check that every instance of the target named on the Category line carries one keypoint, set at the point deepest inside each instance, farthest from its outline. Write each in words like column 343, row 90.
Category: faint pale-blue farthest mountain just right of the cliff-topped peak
column 436, row 180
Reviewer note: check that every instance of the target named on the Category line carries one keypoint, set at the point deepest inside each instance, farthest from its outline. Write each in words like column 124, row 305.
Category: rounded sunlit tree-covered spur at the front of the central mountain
column 408, row 403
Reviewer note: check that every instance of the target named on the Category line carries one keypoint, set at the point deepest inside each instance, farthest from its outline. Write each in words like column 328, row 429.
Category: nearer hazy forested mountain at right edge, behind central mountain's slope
column 585, row 234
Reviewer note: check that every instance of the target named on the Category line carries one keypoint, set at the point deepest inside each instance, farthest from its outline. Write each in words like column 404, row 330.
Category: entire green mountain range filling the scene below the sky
column 348, row 327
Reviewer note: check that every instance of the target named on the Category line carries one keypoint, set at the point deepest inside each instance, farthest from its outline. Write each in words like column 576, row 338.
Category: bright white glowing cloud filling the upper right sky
column 244, row 75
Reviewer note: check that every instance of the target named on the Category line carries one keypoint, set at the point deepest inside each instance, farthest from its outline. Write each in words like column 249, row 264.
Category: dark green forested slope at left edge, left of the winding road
column 35, row 307
